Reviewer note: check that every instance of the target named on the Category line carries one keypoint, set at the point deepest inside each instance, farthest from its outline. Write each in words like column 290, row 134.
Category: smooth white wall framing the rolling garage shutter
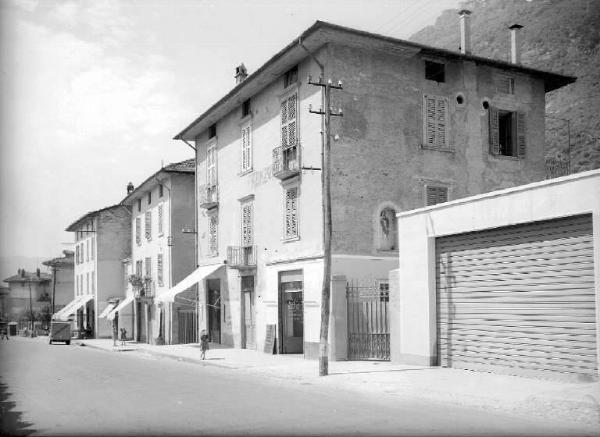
column 412, row 316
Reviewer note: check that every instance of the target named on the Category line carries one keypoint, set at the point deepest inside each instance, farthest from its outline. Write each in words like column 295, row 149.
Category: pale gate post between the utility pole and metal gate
column 338, row 321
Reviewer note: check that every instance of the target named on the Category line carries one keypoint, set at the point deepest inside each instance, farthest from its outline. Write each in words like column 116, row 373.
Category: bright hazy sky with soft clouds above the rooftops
column 93, row 91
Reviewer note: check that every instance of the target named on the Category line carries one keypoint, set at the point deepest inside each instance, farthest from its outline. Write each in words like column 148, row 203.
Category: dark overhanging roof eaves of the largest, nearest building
column 322, row 33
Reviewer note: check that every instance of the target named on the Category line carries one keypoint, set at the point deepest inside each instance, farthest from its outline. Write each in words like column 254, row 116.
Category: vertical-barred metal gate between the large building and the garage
column 368, row 320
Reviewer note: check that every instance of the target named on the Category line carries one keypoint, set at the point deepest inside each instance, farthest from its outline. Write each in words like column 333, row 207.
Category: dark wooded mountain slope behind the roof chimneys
column 558, row 35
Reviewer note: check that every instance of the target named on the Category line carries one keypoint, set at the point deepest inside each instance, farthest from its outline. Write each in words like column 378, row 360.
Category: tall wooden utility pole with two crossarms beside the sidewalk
column 326, row 112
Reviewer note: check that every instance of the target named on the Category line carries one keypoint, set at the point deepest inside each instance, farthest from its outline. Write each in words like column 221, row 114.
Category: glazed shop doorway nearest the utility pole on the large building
column 291, row 312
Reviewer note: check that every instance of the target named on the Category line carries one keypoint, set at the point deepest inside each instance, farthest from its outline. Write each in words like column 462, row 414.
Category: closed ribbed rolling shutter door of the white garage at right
column 519, row 299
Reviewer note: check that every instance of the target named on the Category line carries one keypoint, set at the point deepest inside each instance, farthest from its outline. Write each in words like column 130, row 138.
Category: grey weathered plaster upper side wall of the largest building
column 378, row 158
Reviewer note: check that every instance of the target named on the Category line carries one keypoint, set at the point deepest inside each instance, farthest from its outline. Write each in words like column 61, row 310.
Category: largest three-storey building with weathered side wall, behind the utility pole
column 420, row 126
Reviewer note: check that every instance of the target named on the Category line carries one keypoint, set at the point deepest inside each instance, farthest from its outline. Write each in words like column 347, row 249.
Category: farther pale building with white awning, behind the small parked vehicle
column 102, row 241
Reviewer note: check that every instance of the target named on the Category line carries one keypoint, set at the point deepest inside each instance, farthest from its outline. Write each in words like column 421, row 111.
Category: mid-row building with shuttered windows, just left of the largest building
column 162, row 254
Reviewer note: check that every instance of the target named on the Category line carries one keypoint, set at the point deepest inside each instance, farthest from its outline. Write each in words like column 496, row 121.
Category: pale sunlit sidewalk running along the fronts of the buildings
column 576, row 403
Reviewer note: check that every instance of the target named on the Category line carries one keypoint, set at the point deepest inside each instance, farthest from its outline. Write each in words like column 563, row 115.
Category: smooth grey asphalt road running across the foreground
column 75, row 390
